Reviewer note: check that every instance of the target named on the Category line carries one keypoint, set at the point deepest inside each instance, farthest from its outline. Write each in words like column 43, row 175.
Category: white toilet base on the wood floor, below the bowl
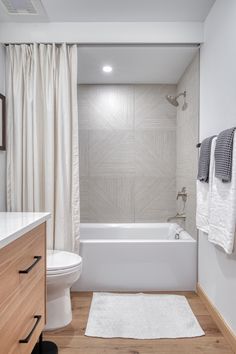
column 59, row 312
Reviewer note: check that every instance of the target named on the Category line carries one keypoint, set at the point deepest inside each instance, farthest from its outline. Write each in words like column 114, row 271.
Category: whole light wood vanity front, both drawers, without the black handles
column 22, row 296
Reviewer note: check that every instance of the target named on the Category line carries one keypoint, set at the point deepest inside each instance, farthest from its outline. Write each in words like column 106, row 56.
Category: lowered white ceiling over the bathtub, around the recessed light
column 133, row 64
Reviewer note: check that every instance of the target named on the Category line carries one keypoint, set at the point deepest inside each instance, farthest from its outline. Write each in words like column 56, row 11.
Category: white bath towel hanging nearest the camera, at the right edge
column 222, row 219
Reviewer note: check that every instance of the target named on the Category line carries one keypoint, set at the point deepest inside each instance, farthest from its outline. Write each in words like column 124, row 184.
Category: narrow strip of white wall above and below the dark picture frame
column 2, row 153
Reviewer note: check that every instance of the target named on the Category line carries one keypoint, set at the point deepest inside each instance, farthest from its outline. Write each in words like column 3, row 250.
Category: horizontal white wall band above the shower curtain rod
column 103, row 32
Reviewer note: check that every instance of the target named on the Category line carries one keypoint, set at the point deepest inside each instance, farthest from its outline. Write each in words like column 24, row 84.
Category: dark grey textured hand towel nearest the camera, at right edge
column 224, row 155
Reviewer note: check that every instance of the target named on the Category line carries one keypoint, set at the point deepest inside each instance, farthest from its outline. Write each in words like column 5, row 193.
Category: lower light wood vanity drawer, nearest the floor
column 25, row 318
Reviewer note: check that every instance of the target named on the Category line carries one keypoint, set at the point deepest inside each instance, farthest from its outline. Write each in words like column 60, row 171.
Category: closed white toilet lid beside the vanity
column 58, row 260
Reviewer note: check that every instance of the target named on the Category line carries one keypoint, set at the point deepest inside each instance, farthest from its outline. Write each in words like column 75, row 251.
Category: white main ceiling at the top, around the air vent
column 112, row 11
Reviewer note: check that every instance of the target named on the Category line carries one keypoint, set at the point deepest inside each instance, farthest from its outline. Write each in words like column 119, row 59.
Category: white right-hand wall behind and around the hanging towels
column 217, row 271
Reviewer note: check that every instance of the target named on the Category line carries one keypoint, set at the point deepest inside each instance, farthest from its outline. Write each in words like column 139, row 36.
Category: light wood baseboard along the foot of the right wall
column 223, row 326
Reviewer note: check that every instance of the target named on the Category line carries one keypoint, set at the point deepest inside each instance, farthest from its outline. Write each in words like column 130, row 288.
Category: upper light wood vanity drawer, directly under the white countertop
column 19, row 256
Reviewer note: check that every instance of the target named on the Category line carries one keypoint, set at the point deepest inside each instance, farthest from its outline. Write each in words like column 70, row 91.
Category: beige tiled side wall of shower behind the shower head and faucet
column 186, row 140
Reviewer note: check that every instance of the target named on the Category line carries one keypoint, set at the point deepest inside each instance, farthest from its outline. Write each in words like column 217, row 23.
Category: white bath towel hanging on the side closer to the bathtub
column 203, row 195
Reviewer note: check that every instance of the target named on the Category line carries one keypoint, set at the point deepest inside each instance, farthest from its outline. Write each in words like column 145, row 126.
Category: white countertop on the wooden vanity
column 14, row 225
